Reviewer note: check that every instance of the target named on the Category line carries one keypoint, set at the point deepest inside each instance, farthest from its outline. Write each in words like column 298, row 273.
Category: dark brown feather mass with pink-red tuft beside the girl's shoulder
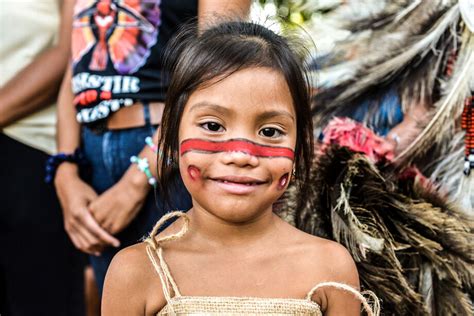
column 413, row 249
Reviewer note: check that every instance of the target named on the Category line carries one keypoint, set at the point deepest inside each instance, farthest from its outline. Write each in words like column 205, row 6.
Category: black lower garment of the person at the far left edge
column 42, row 271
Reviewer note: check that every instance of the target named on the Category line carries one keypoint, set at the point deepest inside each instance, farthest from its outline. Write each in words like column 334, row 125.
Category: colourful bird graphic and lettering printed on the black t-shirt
column 111, row 41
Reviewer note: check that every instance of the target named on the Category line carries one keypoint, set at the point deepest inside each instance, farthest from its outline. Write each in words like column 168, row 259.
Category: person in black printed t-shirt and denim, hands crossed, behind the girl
column 111, row 100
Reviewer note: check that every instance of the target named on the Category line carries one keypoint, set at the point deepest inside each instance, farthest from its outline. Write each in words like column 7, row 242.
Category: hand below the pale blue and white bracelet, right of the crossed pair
column 118, row 206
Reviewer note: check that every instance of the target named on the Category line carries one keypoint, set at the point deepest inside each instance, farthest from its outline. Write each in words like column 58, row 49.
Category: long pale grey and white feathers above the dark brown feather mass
column 421, row 56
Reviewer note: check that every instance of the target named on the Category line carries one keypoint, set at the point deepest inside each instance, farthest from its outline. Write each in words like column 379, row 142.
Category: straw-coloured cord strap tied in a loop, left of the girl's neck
column 155, row 251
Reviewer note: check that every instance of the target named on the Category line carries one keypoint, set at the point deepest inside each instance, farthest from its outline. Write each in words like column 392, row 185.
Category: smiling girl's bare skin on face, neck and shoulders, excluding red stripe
column 236, row 246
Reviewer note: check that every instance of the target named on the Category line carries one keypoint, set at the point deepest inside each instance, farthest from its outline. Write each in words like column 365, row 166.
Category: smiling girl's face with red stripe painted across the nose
column 237, row 139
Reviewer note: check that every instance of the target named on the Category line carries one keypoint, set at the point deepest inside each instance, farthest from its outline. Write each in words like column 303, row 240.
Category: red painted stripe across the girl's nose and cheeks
column 237, row 145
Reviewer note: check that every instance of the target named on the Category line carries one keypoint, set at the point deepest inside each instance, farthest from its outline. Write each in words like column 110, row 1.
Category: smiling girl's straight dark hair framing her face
column 221, row 50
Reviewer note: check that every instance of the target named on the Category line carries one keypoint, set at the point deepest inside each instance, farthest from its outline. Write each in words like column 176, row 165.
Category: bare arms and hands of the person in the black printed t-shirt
column 92, row 220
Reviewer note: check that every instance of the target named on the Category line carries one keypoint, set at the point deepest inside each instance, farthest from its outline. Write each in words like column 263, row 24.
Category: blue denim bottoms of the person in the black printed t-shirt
column 109, row 153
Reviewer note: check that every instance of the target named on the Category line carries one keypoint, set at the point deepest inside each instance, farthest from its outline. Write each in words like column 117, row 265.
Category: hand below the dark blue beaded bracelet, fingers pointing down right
column 75, row 196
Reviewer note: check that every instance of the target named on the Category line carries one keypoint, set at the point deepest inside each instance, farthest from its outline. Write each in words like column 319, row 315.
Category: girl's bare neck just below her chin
column 219, row 232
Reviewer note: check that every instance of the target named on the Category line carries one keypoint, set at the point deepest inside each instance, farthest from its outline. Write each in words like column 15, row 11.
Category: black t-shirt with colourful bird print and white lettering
column 117, row 50
